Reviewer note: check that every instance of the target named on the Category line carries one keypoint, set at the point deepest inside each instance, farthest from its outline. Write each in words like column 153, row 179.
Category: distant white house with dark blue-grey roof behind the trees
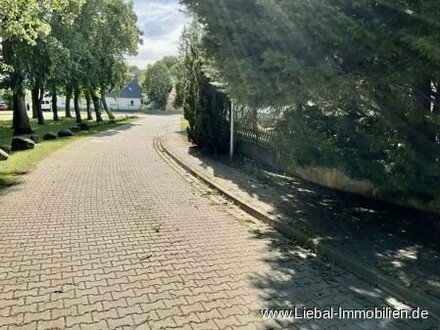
column 129, row 98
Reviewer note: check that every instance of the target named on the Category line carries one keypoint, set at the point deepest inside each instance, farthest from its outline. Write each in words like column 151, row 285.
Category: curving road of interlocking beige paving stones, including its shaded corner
column 105, row 234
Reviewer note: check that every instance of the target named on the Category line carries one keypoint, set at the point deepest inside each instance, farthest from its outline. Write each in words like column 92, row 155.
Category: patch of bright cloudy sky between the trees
column 162, row 22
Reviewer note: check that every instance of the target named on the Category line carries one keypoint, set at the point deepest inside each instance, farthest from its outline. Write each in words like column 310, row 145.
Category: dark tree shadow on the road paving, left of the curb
column 301, row 280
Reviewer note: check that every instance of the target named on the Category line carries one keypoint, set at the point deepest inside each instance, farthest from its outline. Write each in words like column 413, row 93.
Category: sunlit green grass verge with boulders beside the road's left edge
column 21, row 162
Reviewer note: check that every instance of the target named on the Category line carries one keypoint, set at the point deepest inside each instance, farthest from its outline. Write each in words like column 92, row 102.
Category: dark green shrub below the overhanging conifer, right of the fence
column 361, row 147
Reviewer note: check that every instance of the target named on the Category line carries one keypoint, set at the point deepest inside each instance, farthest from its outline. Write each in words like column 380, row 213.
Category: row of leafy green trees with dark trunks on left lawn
column 70, row 45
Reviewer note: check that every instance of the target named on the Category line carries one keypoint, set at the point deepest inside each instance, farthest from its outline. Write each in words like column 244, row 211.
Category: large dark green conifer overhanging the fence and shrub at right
column 359, row 57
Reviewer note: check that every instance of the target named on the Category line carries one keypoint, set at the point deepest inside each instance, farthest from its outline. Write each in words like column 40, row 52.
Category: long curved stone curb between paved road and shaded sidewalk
column 374, row 277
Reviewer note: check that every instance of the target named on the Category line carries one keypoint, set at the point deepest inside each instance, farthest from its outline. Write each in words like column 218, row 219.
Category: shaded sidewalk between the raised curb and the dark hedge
column 399, row 242
